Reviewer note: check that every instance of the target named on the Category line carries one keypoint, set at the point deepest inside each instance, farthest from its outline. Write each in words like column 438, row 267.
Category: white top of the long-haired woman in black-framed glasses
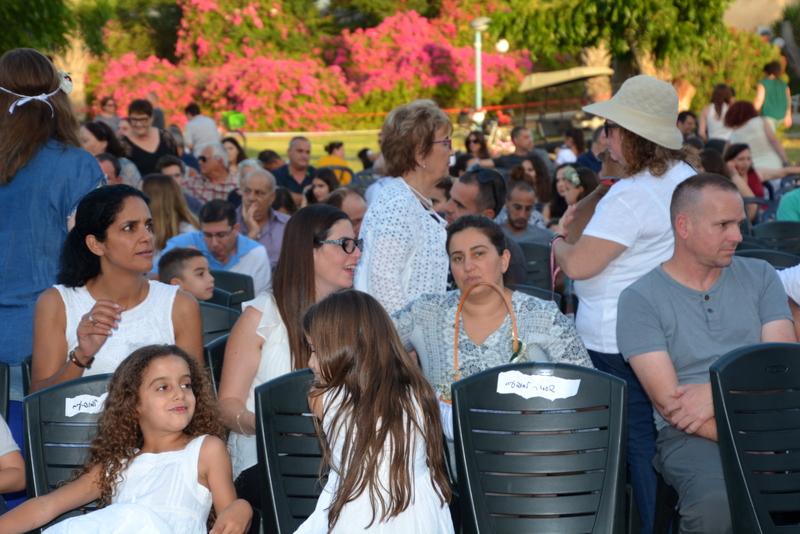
column 275, row 360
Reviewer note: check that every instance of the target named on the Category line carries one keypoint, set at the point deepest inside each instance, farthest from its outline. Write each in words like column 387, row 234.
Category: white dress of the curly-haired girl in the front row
column 157, row 494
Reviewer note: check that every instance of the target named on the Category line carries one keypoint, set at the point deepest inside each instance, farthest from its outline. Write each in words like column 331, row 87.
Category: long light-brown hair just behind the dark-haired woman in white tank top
column 171, row 214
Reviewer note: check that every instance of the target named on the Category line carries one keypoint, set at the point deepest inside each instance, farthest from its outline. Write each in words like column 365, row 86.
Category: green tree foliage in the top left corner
column 40, row 24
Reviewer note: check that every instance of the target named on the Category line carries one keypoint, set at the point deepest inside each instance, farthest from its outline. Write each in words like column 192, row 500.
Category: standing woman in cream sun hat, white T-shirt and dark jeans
column 629, row 235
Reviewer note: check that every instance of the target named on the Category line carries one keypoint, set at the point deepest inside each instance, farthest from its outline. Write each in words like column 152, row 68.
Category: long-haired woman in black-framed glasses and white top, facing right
column 318, row 257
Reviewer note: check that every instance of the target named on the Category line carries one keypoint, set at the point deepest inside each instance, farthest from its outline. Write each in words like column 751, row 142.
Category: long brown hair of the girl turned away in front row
column 383, row 400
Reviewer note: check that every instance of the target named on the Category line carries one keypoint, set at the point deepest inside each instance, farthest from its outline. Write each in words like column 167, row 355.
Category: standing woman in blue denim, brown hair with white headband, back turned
column 43, row 175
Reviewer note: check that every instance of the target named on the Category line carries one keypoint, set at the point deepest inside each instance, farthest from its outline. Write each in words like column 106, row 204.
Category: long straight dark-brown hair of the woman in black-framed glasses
column 293, row 283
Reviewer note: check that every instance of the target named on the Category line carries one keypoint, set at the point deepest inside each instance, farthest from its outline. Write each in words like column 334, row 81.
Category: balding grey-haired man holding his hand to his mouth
column 257, row 220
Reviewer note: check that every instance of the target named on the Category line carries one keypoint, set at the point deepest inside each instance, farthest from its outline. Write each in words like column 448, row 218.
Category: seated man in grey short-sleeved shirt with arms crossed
column 679, row 319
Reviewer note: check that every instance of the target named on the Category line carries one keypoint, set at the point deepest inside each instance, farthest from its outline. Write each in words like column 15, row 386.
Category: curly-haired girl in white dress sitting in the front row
column 158, row 462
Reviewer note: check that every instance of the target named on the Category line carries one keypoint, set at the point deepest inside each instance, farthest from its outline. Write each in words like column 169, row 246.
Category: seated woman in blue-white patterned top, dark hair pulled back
column 477, row 252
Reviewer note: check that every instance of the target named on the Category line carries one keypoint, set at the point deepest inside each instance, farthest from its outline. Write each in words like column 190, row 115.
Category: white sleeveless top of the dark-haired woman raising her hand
column 146, row 324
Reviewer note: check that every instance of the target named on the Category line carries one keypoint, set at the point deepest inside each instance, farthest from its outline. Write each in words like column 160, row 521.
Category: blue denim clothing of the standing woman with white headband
column 34, row 208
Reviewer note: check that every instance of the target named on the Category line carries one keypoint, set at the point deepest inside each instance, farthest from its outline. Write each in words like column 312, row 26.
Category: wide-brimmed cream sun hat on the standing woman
column 645, row 106
